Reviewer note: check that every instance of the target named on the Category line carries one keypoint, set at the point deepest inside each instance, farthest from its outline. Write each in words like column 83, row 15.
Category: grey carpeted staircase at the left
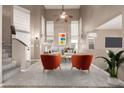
column 9, row 69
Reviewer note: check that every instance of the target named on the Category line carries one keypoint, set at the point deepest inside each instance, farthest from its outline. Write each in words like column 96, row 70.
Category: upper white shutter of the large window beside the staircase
column 21, row 19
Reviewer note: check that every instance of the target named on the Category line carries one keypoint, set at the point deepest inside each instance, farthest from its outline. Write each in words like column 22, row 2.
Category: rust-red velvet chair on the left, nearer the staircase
column 50, row 62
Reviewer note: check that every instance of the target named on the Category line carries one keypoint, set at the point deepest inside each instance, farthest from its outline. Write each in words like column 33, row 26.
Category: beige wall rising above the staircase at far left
column 7, row 20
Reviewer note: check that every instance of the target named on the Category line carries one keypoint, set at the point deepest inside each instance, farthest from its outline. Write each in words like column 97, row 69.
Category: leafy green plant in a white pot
column 114, row 60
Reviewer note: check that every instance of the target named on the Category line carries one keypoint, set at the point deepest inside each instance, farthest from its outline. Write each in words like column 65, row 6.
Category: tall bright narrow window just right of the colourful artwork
column 74, row 34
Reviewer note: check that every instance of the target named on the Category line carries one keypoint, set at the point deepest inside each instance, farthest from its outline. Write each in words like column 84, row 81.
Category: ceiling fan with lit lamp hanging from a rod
column 64, row 15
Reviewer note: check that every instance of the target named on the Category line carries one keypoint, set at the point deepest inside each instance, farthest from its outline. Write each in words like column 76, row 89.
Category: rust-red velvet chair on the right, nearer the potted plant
column 82, row 62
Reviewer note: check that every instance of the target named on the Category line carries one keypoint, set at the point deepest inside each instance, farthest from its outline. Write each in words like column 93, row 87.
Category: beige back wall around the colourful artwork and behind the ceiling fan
column 61, row 26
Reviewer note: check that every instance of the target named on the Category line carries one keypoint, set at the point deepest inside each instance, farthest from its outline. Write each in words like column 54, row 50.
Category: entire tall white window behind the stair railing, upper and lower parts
column 21, row 21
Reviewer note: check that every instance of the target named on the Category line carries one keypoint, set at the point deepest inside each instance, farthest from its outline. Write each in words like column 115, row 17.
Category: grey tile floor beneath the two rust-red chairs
column 35, row 77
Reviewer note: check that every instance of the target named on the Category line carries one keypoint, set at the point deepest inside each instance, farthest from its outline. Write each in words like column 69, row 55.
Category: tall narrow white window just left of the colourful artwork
column 50, row 31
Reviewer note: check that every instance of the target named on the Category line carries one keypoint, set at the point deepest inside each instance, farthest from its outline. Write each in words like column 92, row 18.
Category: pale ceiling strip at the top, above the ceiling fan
column 60, row 6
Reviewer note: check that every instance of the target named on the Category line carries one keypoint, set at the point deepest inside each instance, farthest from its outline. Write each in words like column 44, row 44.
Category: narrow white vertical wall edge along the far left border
column 0, row 44
